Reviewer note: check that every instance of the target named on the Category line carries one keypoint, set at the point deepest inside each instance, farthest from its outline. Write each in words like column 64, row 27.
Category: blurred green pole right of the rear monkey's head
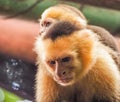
column 107, row 18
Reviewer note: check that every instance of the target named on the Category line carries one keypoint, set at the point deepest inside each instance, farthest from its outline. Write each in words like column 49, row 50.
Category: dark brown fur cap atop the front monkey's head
column 59, row 29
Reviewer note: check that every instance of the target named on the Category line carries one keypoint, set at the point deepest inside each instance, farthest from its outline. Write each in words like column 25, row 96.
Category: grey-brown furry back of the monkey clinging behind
column 108, row 40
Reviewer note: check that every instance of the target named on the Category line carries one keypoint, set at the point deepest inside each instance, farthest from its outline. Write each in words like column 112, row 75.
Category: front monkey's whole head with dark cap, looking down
column 66, row 52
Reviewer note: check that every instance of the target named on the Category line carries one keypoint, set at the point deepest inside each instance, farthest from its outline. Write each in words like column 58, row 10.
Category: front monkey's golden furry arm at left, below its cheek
column 47, row 87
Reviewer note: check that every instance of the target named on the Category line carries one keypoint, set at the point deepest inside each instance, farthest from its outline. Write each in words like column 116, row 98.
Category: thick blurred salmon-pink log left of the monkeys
column 17, row 38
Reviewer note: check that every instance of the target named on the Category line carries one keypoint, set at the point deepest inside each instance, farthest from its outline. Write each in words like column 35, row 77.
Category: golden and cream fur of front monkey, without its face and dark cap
column 98, row 78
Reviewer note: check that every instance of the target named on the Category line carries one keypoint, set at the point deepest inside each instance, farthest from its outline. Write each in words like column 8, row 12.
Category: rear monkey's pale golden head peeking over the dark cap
column 61, row 13
